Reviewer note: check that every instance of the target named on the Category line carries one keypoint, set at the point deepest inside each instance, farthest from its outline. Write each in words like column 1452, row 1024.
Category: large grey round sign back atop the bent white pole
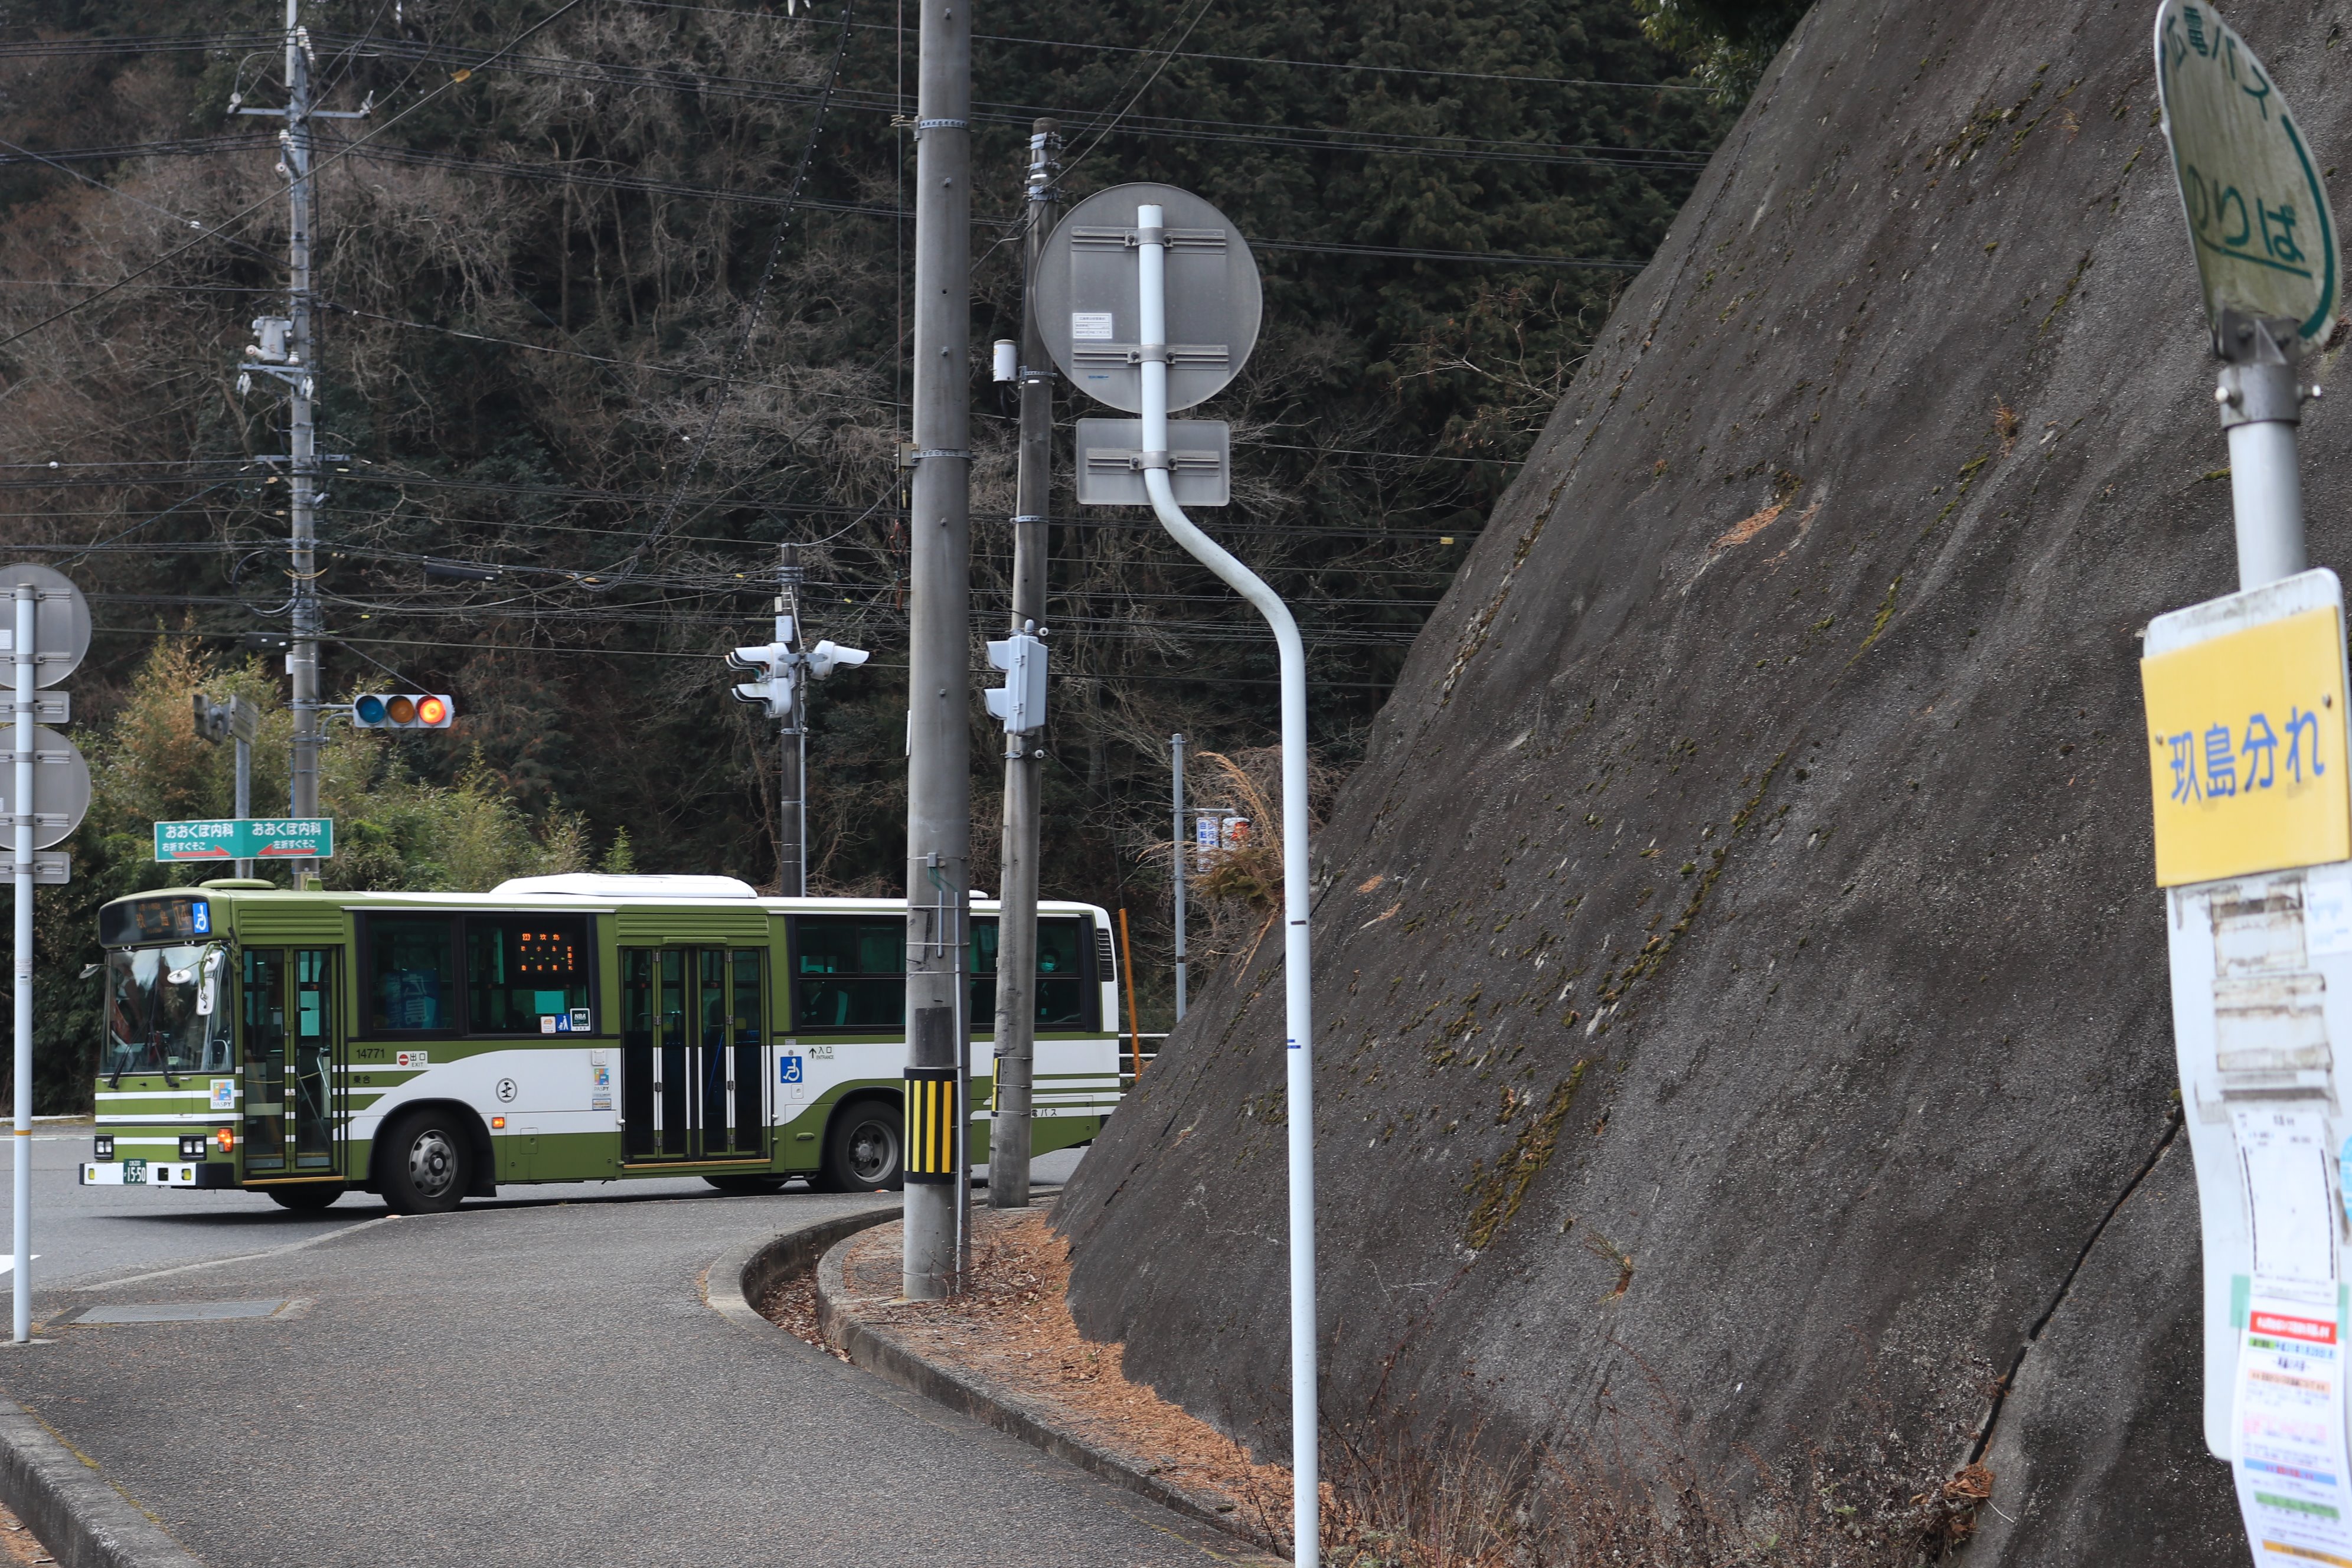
column 1085, row 297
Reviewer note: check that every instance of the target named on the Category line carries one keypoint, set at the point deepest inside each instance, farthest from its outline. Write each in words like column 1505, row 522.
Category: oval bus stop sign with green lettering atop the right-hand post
column 2259, row 215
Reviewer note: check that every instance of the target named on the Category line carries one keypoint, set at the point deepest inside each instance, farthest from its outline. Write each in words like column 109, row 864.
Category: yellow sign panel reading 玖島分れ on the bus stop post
column 2247, row 732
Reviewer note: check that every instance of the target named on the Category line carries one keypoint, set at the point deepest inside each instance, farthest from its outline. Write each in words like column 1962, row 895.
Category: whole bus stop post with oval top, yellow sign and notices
column 2252, row 782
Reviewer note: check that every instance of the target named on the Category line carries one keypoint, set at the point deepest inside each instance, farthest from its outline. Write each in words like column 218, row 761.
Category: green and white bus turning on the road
column 434, row 1047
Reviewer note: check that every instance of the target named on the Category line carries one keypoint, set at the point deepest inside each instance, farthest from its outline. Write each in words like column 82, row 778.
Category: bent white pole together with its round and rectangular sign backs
column 1149, row 302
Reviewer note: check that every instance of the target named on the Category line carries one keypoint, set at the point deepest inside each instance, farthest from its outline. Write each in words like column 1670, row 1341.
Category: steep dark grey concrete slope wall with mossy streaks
column 1739, row 972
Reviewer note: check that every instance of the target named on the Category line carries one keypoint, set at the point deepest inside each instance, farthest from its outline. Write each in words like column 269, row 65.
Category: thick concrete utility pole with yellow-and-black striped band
column 940, row 664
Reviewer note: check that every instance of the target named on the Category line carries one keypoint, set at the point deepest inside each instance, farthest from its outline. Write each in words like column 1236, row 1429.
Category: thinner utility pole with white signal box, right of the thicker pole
column 1024, row 758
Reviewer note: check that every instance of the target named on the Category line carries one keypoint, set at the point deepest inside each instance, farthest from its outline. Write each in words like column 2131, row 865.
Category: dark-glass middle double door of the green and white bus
column 693, row 1061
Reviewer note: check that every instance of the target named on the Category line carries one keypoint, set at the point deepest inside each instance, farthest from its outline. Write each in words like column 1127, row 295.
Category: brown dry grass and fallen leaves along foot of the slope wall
column 1405, row 1492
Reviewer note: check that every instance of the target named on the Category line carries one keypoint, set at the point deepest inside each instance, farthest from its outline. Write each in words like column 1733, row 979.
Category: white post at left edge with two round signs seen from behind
column 46, row 800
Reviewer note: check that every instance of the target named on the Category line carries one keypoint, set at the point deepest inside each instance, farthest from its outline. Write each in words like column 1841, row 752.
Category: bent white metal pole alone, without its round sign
column 1297, row 981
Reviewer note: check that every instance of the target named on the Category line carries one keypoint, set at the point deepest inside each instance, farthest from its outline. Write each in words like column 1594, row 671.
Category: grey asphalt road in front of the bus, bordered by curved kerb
column 533, row 1381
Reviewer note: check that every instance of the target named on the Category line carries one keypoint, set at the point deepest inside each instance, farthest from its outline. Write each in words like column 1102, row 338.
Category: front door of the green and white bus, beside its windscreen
column 295, row 1125
